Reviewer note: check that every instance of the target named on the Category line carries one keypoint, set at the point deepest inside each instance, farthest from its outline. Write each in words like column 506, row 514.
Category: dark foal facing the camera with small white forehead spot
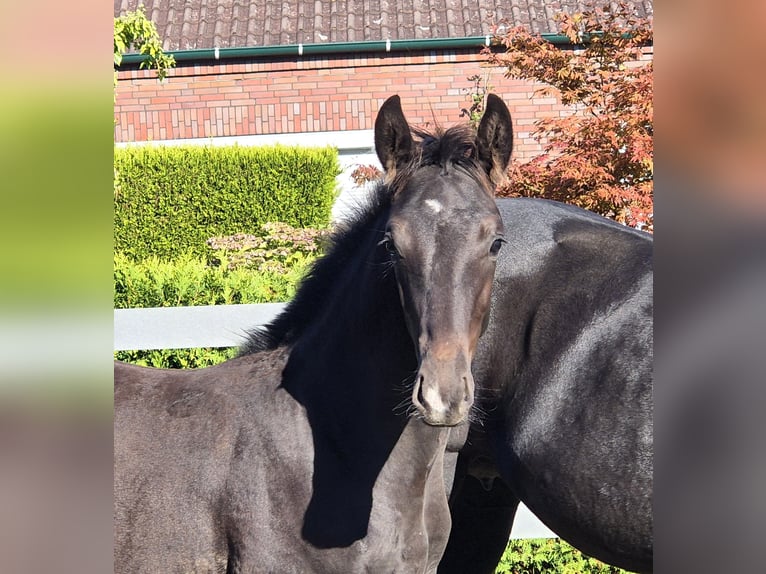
column 321, row 448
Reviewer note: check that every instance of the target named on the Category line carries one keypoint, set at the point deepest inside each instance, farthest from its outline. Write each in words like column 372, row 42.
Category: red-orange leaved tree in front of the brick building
column 600, row 156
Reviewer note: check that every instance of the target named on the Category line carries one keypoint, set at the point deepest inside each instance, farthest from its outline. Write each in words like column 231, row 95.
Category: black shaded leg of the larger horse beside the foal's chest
column 482, row 512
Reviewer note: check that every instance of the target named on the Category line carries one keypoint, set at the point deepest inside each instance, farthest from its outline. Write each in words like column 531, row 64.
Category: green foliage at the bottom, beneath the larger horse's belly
column 549, row 556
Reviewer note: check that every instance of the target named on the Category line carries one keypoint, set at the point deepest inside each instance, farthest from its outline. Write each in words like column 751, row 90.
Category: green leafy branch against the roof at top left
column 134, row 30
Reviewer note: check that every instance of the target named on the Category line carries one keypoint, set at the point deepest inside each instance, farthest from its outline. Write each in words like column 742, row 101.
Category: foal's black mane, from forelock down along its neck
column 455, row 146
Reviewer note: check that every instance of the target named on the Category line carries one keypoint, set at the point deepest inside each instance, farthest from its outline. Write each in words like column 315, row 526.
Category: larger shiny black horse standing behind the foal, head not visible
column 564, row 377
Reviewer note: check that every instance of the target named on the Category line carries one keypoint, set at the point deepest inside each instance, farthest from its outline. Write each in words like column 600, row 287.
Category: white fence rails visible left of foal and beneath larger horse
column 226, row 326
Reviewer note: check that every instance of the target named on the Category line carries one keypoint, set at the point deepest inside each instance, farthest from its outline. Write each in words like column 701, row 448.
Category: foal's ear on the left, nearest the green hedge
column 393, row 139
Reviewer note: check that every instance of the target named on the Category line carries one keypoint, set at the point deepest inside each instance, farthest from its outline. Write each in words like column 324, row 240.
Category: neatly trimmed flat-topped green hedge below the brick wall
column 170, row 200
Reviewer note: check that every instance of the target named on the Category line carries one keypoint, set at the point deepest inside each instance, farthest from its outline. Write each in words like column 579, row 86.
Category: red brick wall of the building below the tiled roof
column 323, row 93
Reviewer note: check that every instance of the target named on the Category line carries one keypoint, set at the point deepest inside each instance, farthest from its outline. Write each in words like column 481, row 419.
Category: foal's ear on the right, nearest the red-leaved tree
column 494, row 141
